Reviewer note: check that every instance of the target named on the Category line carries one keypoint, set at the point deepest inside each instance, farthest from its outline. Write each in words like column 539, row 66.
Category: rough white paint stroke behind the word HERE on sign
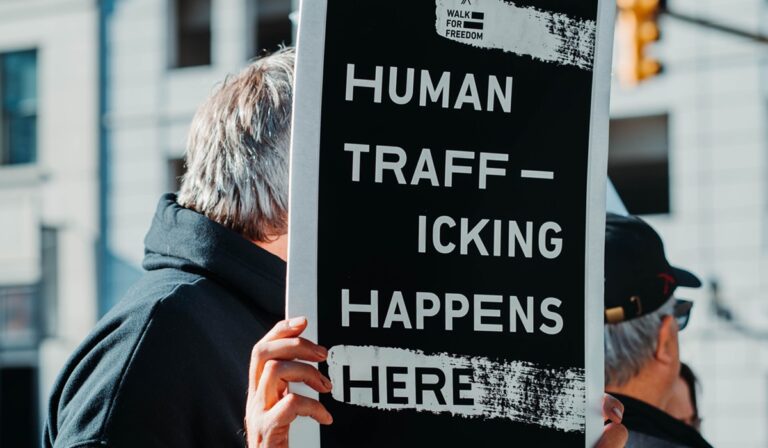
column 518, row 391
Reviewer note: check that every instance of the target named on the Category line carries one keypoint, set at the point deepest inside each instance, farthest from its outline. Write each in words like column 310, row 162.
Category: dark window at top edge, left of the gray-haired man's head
column 191, row 33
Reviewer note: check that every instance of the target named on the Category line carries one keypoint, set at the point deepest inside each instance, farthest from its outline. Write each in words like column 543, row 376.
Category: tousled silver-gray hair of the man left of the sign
column 237, row 150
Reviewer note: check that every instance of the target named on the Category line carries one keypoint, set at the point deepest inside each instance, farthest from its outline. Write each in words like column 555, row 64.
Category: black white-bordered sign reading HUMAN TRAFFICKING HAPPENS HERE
column 446, row 218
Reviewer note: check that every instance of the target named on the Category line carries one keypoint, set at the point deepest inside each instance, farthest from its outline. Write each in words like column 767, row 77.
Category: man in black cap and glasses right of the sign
column 642, row 321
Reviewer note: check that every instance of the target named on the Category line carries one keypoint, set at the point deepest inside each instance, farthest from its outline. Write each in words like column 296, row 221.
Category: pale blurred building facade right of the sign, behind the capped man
column 689, row 149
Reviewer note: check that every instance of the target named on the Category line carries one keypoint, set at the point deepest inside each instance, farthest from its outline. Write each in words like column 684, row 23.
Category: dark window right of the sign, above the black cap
column 638, row 163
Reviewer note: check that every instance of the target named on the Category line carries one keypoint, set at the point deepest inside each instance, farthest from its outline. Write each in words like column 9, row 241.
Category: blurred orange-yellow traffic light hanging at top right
column 637, row 28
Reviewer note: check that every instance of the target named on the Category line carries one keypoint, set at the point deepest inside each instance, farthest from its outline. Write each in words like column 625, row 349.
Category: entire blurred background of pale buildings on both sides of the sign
column 96, row 98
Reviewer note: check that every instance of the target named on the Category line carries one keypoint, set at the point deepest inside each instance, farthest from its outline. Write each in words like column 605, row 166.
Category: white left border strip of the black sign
column 303, row 197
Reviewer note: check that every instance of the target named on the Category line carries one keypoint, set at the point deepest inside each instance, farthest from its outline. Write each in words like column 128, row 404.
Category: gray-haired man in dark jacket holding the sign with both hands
column 169, row 365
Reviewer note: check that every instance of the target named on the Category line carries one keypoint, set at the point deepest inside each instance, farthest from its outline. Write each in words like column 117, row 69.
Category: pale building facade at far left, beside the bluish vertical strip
column 48, row 199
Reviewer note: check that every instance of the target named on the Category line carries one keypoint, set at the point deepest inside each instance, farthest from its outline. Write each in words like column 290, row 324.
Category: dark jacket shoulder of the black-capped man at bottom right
column 650, row 427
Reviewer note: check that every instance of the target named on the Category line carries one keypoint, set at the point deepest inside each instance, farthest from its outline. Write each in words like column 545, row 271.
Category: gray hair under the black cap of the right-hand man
column 630, row 345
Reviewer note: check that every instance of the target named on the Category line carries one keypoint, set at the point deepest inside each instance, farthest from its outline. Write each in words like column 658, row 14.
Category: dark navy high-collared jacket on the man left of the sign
column 168, row 365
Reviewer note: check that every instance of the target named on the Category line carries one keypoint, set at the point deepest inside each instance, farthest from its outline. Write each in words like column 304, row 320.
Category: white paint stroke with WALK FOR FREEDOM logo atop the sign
column 546, row 36
